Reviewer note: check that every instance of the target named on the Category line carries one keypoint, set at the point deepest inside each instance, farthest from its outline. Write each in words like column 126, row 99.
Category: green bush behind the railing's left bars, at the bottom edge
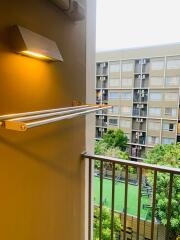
column 106, row 223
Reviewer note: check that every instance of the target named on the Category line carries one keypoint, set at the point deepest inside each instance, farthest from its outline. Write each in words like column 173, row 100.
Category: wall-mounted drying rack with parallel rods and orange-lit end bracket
column 23, row 121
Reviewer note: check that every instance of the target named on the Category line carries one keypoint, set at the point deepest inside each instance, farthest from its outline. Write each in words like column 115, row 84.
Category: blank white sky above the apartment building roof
column 136, row 23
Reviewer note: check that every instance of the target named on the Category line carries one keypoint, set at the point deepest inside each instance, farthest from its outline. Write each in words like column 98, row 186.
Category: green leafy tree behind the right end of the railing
column 168, row 155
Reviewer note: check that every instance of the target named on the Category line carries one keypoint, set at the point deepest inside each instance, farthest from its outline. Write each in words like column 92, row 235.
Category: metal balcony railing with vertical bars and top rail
column 133, row 227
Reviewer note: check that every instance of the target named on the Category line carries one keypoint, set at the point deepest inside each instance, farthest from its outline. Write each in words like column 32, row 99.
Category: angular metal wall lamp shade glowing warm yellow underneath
column 32, row 44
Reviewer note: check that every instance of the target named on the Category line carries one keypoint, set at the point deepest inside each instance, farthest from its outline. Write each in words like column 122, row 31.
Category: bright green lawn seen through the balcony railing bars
column 119, row 197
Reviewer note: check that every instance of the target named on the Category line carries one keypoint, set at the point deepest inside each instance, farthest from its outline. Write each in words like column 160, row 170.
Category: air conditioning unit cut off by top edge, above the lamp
column 72, row 8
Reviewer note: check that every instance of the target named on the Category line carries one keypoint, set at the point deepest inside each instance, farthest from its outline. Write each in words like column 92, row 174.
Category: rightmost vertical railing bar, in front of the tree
column 169, row 206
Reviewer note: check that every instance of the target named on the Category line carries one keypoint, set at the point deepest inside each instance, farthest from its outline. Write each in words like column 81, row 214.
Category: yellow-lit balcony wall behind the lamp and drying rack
column 41, row 173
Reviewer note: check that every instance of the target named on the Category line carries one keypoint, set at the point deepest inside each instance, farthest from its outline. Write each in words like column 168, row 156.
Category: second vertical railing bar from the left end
column 101, row 200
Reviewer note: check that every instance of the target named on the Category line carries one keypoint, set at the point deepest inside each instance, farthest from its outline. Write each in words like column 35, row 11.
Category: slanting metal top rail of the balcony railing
column 133, row 164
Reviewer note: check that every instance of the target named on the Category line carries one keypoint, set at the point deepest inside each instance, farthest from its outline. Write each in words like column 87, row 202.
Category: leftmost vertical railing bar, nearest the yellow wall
column 90, row 198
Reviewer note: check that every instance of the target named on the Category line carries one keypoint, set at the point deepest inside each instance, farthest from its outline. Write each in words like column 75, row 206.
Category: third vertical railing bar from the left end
column 112, row 203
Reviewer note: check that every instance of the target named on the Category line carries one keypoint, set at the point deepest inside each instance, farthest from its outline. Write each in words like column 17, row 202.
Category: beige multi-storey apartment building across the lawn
column 143, row 85
